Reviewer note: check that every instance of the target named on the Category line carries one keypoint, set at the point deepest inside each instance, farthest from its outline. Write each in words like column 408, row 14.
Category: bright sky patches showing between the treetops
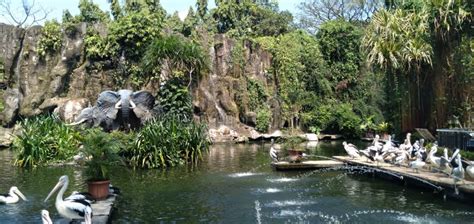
column 56, row 7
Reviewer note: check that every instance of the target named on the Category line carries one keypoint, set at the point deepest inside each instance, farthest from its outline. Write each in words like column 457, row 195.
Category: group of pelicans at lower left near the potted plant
column 77, row 206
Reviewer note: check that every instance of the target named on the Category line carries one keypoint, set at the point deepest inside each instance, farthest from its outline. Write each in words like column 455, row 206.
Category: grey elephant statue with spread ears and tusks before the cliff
column 123, row 109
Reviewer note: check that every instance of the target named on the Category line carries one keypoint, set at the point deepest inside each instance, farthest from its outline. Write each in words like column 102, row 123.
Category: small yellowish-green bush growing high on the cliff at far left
column 51, row 39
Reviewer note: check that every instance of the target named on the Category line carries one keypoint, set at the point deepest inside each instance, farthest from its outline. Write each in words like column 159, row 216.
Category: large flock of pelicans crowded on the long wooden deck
column 414, row 156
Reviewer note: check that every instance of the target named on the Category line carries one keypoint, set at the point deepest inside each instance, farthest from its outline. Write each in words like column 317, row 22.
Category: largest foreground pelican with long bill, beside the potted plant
column 70, row 209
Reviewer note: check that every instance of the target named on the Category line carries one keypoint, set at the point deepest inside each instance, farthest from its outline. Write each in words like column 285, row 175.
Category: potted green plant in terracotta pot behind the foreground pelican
column 100, row 151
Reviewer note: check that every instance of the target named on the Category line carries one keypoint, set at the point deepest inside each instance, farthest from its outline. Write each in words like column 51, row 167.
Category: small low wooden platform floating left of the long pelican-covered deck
column 305, row 165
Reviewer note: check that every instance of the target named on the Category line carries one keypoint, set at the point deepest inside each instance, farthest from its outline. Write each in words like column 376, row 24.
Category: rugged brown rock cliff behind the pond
column 37, row 85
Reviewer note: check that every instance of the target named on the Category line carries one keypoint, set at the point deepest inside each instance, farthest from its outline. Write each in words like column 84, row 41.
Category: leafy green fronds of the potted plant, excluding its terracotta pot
column 100, row 149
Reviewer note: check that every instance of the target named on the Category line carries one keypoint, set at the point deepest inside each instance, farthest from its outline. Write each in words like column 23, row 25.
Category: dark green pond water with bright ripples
column 235, row 184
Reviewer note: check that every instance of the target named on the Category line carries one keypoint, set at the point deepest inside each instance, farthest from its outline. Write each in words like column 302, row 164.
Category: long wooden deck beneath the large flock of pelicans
column 423, row 177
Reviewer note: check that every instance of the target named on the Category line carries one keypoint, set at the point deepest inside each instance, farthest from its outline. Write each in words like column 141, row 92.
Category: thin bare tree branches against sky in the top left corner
column 29, row 14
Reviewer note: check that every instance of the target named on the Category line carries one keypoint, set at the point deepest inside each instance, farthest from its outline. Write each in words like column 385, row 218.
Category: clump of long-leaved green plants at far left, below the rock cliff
column 44, row 139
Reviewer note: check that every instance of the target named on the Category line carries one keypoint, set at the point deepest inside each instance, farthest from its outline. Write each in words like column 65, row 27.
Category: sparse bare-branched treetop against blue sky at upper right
column 315, row 12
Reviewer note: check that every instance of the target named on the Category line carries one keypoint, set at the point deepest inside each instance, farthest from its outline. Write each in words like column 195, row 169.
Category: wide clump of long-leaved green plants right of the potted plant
column 166, row 142
